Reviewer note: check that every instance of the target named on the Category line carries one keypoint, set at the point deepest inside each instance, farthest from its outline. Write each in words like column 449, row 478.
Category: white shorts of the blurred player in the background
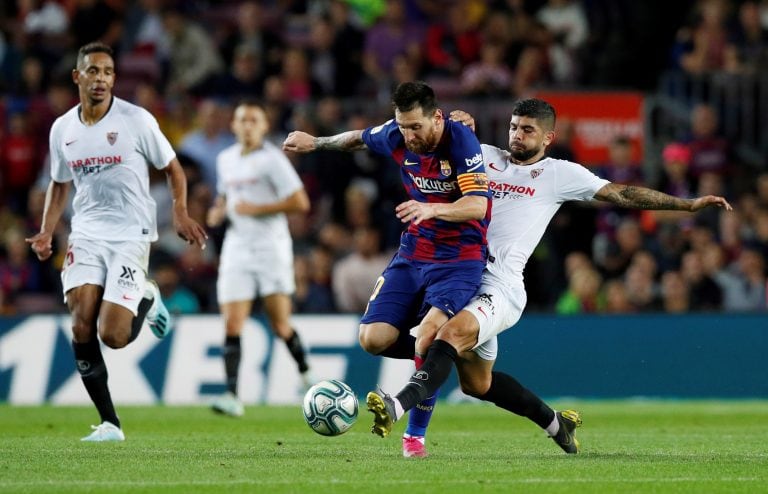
column 247, row 274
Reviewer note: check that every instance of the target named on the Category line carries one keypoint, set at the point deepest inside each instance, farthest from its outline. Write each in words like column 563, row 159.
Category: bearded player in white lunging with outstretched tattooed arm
column 527, row 188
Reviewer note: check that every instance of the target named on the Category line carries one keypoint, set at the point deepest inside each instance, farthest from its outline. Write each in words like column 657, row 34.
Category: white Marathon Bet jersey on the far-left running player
column 108, row 162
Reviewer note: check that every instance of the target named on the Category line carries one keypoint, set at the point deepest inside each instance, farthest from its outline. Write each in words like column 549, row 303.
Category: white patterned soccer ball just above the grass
column 330, row 407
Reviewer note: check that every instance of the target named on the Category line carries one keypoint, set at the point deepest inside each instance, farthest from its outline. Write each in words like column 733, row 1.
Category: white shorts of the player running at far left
column 119, row 267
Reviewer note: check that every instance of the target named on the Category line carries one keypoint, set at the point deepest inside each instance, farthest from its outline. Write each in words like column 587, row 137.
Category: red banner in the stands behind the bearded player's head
column 597, row 118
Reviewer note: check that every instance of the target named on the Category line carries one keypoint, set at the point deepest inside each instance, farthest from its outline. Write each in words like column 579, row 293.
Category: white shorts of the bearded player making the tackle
column 496, row 309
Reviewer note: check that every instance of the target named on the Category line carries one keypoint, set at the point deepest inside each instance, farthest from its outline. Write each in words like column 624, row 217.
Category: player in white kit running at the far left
column 105, row 145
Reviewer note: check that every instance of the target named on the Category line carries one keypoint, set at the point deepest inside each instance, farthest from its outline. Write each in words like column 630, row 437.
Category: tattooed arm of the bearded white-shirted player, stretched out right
column 630, row 196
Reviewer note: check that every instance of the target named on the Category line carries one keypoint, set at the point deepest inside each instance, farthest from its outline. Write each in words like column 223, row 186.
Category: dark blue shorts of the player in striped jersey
column 407, row 289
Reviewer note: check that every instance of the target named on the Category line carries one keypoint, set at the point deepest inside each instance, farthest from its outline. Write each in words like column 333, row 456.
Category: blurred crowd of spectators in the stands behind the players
column 327, row 65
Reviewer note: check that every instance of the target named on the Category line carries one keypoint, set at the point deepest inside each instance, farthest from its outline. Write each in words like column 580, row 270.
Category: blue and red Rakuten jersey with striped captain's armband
column 453, row 170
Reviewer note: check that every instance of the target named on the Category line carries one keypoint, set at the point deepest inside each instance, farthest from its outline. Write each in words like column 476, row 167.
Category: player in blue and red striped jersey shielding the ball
column 442, row 253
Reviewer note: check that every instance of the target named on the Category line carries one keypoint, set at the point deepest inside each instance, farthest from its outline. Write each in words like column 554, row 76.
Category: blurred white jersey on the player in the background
column 263, row 176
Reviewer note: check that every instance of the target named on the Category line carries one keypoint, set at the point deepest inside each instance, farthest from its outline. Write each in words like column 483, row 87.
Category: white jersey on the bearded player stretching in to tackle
column 525, row 198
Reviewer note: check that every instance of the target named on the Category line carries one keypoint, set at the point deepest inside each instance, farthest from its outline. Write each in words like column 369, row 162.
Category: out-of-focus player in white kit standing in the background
column 257, row 186
